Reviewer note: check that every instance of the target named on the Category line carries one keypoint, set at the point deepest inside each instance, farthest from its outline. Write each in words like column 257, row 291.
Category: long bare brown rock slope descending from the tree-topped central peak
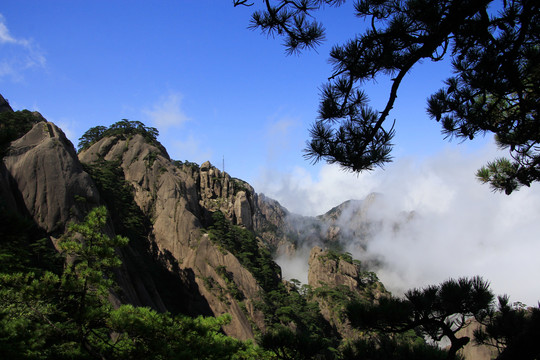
column 178, row 202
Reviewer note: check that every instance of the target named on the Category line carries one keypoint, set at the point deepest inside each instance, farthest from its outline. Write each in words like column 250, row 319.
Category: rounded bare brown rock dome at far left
column 46, row 178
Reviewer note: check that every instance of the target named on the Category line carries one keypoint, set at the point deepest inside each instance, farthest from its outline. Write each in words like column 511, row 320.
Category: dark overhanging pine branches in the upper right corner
column 495, row 52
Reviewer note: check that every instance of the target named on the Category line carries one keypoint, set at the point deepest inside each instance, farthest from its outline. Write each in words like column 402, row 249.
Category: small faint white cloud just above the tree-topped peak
column 167, row 112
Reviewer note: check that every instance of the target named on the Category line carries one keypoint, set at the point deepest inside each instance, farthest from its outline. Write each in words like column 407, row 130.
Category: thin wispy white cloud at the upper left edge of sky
column 17, row 54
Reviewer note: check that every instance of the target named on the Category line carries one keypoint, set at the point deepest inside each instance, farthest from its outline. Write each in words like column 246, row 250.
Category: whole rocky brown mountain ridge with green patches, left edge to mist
column 200, row 241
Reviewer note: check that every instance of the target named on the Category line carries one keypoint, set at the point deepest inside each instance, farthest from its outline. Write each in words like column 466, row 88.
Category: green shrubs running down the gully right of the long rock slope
column 282, row 308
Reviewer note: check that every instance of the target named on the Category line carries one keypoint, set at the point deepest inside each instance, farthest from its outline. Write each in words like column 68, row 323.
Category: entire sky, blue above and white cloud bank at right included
column 218, row 91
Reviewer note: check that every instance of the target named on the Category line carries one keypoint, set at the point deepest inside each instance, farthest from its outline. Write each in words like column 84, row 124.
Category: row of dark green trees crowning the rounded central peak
column 123, row 128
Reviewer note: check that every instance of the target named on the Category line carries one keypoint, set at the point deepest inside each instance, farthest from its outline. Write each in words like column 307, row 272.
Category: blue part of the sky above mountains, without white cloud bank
column 192, row 69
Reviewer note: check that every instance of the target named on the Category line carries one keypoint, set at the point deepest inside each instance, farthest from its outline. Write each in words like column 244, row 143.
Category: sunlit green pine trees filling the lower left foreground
column 69, row 316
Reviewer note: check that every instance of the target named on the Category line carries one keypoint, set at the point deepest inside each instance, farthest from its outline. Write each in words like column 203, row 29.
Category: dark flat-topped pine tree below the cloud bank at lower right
column 437, row 311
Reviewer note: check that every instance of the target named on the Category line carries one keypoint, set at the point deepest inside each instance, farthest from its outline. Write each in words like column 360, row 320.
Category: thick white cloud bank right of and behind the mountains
column 460, row 227
